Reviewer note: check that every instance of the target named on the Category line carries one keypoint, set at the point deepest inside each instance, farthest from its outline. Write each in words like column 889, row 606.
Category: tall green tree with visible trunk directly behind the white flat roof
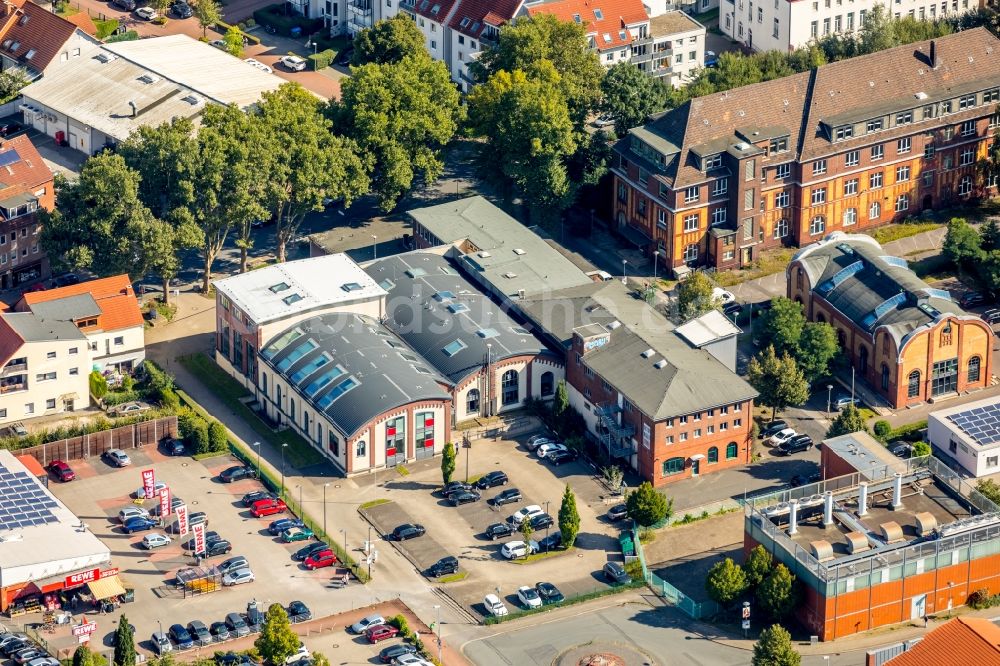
column 310, row 164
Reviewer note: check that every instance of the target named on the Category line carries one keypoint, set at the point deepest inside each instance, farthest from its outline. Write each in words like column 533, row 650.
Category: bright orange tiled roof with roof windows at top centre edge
column 606, row 20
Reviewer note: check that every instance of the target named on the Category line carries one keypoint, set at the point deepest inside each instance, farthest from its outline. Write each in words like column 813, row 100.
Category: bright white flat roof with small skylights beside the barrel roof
column 281, row 290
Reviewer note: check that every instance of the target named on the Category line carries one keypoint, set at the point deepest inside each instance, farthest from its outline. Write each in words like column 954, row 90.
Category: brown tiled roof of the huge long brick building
column 891, row 79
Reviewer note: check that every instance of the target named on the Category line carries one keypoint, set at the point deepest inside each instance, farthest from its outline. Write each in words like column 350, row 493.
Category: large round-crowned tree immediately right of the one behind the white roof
column 401, row 115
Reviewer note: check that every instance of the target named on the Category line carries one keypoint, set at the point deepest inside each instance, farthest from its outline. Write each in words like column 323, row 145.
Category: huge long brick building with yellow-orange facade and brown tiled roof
column 782, row 163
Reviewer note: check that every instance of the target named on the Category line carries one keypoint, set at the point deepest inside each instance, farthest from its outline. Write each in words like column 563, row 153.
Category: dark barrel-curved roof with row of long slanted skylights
column 351, row 368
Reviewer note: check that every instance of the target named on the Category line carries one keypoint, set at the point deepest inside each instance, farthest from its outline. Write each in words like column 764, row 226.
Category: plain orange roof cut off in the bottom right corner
column 963, row 640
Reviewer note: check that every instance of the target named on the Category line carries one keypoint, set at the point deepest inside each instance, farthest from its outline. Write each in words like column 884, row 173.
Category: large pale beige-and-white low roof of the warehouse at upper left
column 165, row 77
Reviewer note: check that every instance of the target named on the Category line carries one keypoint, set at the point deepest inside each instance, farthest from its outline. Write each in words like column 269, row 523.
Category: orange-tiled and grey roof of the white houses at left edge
column 114, row 297
